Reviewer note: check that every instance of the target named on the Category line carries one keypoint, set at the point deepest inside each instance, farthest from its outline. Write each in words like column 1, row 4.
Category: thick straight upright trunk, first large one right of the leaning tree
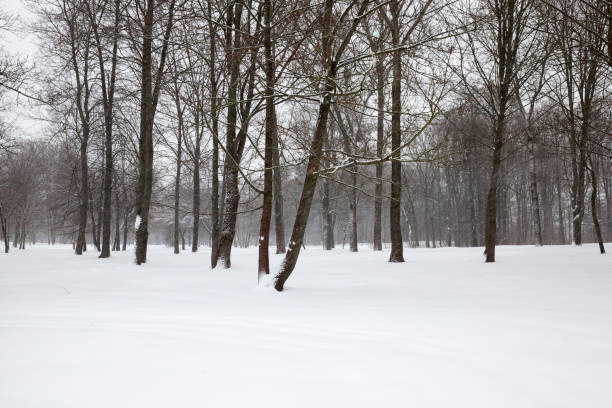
column 397, row 247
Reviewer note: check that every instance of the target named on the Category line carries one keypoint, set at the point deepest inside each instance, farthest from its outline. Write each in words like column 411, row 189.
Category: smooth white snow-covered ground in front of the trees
column 351, row 330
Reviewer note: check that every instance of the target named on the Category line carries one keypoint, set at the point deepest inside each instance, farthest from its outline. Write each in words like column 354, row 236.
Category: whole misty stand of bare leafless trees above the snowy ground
column 286, row 124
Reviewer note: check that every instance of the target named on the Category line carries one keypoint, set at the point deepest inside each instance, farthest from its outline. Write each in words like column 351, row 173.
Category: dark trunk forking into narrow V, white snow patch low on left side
column 149, row 96
